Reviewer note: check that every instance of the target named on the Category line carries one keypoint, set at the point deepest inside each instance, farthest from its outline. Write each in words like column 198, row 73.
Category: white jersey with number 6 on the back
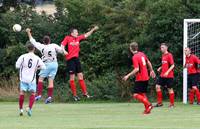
column 28, row 65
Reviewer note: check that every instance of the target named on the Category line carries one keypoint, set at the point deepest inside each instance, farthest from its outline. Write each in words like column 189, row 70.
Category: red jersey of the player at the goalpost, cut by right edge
column 191, row 64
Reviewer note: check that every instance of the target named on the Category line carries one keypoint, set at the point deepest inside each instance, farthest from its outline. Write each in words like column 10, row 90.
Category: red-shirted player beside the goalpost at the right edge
column 191, row 64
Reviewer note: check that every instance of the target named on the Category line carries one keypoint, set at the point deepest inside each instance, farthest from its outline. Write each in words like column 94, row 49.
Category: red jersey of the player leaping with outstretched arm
column 73, row 45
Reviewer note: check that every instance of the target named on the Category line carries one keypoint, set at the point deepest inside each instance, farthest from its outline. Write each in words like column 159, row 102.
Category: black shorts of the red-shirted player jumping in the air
column 74, row 66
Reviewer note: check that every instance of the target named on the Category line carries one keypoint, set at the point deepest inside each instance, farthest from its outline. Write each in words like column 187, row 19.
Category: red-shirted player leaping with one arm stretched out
column 72, row 42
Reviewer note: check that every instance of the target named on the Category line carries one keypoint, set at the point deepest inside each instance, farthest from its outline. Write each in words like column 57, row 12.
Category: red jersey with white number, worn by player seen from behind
column 139, row 61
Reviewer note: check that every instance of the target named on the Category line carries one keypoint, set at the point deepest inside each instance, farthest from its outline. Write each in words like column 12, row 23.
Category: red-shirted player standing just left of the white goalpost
column 166, row 76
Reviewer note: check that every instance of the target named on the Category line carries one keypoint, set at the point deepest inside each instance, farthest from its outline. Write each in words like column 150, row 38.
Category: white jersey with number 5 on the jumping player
column 49, row 52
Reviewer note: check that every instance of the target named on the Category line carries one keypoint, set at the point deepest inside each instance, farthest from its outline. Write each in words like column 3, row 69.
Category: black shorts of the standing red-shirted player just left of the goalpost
column 165, row 82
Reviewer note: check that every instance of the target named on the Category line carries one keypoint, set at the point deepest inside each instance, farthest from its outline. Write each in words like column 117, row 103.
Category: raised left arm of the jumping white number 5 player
column 38, row 45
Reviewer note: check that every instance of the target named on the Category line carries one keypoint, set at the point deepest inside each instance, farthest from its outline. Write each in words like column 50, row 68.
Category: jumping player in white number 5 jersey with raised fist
column 49, row 57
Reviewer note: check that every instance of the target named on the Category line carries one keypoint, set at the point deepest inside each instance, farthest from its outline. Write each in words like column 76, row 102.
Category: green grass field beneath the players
column 99, row 116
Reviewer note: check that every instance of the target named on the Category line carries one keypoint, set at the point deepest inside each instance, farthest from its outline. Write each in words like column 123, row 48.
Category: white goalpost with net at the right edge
column 191, row 39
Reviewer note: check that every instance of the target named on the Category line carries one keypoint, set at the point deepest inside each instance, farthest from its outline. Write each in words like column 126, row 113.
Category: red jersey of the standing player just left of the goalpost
column 167, row 61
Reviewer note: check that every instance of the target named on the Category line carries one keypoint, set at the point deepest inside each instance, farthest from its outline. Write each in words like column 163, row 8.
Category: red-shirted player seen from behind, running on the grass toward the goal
column 140, row 63
